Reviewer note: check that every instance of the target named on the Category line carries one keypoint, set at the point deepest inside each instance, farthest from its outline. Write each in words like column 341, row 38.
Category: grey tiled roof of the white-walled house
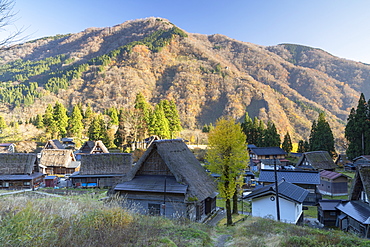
column 286, row 190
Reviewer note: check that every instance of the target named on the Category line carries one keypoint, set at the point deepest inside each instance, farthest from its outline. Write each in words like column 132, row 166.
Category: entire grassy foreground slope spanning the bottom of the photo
column 81, row 220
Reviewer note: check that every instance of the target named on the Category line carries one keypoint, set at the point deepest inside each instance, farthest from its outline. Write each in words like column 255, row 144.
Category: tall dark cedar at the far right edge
column 357, row 131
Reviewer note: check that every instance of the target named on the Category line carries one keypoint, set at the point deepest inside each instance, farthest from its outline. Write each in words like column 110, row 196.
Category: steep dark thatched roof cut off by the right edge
column 361, row 182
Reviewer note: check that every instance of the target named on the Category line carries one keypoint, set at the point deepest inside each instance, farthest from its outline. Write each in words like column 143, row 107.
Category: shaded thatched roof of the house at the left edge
column 16, row 163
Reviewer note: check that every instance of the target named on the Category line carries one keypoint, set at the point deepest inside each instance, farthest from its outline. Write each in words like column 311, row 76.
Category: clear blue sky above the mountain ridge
column 340, row 27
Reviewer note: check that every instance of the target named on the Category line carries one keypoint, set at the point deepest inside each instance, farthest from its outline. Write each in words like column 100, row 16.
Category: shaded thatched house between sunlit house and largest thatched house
column 102, row 170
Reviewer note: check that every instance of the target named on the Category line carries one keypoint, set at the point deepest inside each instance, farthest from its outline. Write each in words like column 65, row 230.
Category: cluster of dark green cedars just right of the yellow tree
column 259, row 135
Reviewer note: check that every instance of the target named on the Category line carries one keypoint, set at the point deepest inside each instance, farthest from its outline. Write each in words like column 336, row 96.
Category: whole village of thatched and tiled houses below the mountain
column 168, row 180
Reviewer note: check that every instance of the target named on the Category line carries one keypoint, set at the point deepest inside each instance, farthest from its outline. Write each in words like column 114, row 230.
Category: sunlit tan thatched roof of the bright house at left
column 58, row 158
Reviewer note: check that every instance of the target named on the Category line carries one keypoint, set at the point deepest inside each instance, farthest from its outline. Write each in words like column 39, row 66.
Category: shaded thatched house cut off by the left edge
column 19, row 170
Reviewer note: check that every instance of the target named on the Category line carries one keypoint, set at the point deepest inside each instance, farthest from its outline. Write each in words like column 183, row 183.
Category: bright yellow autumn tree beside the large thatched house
column 228, row 156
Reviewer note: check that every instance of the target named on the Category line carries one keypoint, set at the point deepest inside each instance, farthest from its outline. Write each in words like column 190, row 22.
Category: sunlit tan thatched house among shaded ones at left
column 58, row 161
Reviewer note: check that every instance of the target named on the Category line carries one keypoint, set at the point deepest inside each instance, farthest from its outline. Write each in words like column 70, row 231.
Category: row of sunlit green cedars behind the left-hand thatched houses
column 133, row 124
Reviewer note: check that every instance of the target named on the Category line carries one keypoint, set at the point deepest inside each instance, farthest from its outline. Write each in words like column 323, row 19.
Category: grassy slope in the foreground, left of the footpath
column 37, row 220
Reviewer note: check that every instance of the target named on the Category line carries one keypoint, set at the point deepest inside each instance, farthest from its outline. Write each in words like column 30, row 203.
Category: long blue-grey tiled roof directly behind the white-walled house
column 294, row 177
